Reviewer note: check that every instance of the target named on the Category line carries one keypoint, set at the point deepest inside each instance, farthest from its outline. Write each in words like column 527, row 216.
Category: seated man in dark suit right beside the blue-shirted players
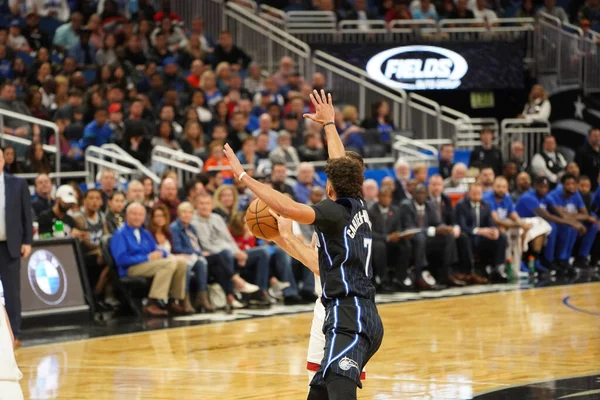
column 475, row 219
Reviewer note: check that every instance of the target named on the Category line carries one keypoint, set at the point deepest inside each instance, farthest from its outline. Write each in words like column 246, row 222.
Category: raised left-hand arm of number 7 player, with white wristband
column 278, row 202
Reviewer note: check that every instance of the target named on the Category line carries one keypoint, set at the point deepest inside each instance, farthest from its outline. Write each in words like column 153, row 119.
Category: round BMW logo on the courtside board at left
column 47, row 277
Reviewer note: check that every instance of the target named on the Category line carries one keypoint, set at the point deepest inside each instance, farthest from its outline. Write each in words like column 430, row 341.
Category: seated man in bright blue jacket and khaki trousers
column 136, row 254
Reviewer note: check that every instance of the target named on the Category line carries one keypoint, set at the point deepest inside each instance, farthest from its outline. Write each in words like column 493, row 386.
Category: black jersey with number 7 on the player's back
column 345, row 243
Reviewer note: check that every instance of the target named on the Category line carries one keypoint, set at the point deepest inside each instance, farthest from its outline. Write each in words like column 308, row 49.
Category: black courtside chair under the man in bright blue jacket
column 131, row 290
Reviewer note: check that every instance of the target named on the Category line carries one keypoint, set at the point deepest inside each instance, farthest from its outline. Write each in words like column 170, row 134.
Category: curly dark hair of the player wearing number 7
column 346, row 176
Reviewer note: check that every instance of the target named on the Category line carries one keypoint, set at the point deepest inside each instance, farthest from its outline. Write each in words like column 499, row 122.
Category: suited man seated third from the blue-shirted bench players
column 435, row 240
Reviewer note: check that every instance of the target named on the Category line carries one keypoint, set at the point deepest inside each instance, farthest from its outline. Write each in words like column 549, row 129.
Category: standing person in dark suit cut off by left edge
column 15, row 214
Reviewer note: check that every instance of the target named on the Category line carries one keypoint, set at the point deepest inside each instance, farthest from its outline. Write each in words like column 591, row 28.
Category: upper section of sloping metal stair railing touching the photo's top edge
column 265, row 42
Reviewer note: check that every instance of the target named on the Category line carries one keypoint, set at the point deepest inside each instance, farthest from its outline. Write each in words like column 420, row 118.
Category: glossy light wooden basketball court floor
column 500, row 345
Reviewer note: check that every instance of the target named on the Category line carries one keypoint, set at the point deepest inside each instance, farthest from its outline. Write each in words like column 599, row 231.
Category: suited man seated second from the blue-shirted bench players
column 445, row 211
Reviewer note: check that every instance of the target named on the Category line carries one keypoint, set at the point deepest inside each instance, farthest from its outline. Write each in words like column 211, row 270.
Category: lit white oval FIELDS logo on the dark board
column 418, row 68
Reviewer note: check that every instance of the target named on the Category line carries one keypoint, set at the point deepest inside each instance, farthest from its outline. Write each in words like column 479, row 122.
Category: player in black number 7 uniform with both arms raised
column 353, row 329
